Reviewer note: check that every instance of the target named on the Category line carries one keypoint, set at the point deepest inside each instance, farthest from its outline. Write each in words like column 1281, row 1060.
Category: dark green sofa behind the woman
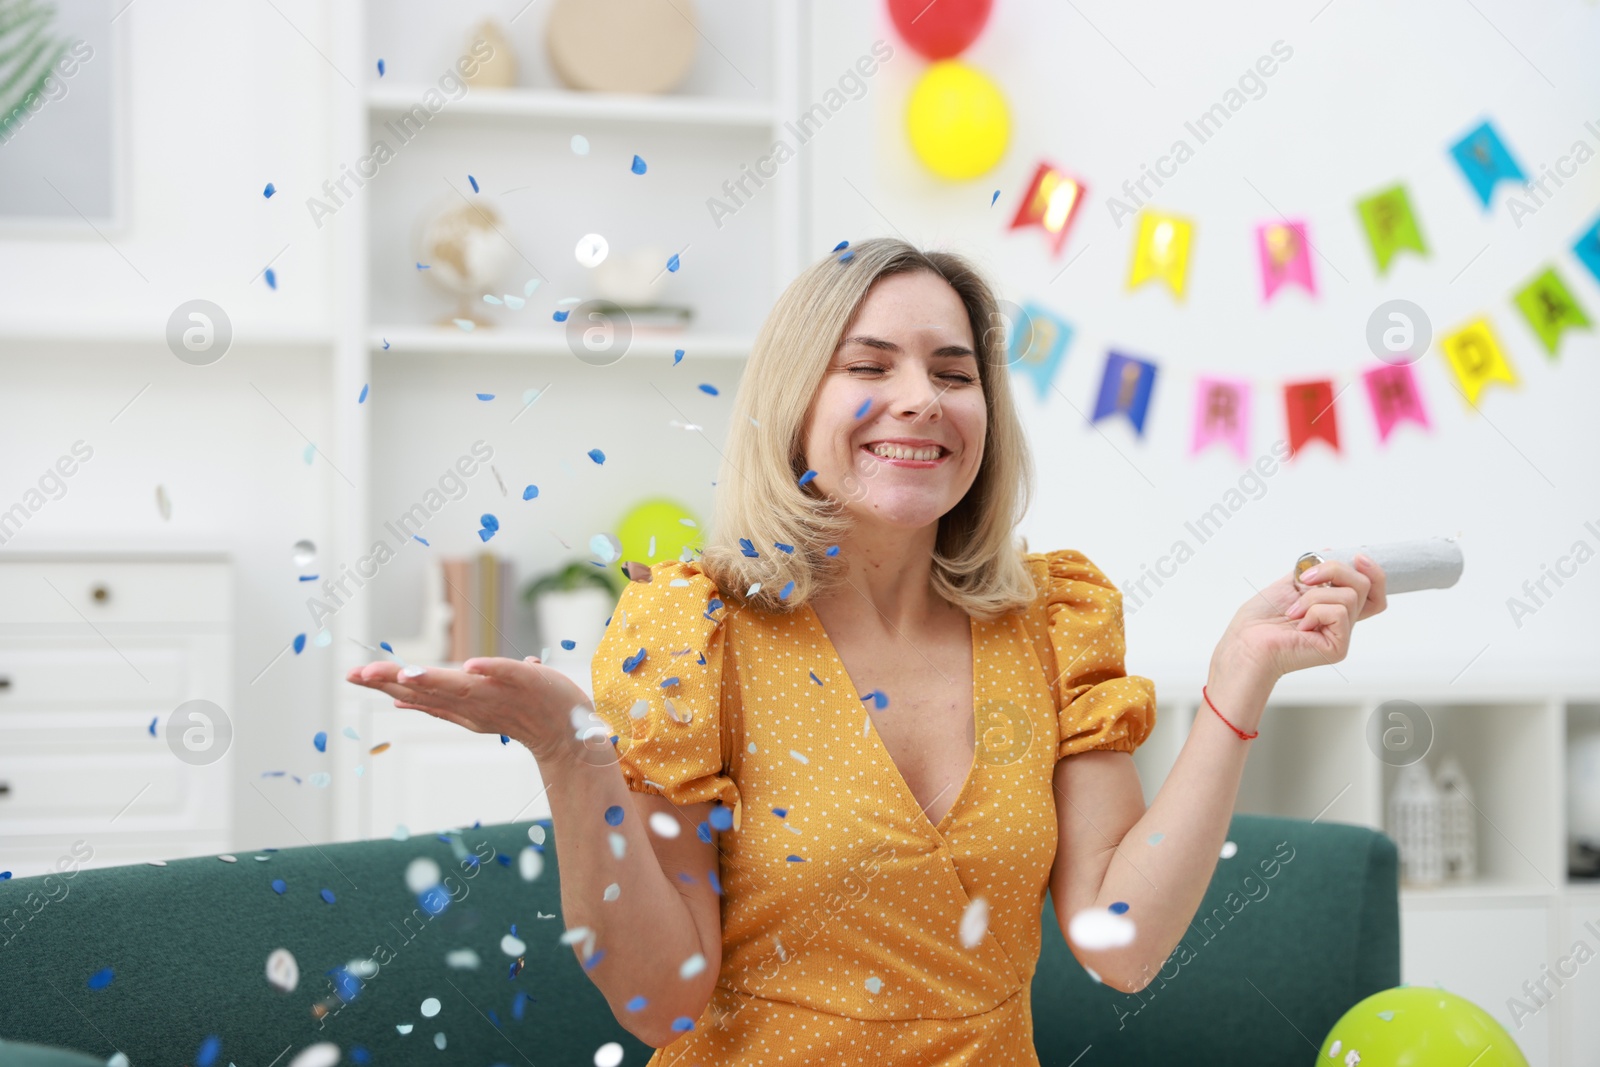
column 1297, row 927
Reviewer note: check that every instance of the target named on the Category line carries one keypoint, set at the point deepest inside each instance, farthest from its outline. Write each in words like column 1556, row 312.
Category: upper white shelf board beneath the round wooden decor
column 570, row 105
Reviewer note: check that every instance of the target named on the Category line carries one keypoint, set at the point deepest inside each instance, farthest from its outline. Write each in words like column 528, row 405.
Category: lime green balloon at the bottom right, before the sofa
column 1420, row 1026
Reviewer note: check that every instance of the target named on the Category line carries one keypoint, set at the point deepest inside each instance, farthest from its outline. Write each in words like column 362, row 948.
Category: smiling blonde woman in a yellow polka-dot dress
column 866, row 730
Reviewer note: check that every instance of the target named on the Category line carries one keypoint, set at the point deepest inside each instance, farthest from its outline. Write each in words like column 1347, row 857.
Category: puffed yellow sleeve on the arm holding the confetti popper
column 1100, row 705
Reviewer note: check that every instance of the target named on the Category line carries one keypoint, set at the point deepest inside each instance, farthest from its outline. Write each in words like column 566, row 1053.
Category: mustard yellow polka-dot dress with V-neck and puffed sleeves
column 844, row 905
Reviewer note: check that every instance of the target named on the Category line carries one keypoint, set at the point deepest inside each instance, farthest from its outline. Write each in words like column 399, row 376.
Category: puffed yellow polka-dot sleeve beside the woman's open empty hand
column 658, row 685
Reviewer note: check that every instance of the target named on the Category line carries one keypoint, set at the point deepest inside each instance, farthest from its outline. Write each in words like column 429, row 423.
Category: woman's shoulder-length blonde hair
column 977, row 561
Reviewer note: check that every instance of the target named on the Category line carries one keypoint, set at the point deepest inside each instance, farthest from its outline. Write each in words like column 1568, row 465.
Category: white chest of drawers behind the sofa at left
column 116, row 682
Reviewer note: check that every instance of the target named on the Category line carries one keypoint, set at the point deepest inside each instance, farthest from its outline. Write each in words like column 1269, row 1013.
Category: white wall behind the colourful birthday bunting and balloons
column 1374, row 95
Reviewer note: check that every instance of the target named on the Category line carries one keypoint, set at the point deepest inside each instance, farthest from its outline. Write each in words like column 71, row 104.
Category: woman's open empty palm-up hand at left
column 492, row 695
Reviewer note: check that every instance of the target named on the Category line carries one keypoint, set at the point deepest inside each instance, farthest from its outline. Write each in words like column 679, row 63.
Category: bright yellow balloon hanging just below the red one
column 959, row 121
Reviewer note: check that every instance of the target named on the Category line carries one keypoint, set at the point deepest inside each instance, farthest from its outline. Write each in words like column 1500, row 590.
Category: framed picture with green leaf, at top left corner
column 63, row 129
